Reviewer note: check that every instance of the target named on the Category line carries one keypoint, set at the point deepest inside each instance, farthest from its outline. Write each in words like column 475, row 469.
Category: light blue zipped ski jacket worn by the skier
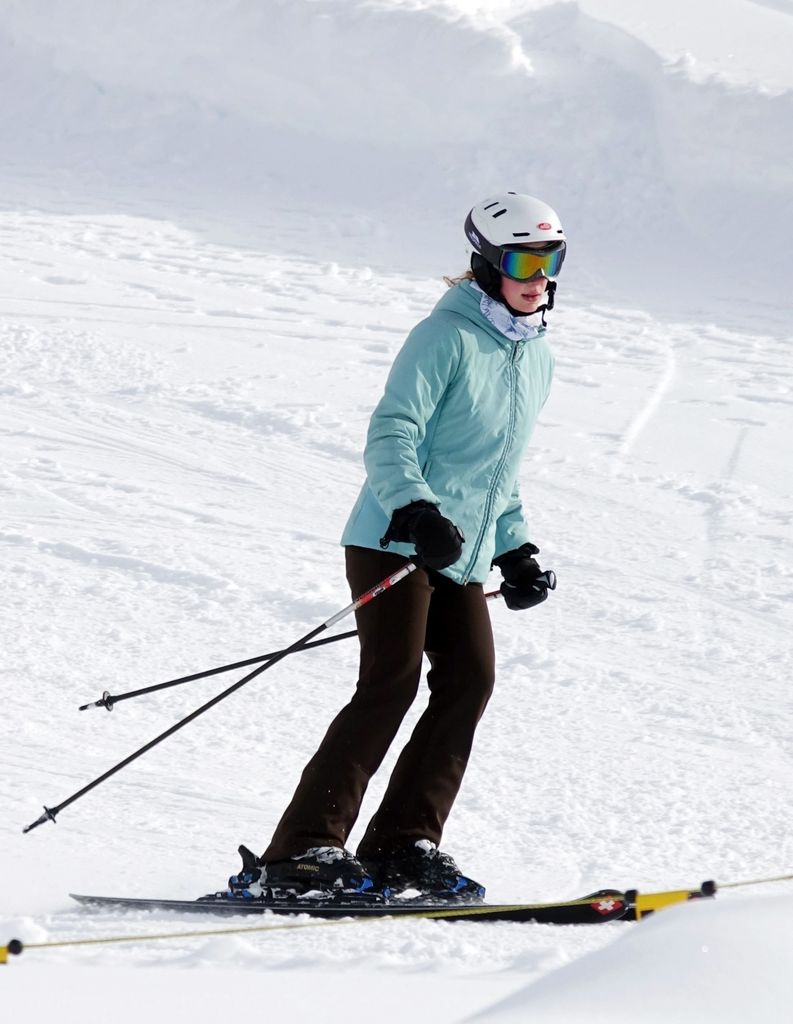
column 461, row 404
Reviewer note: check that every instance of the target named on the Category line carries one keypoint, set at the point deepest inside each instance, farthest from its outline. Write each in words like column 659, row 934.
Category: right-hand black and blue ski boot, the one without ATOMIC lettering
column 423, row 867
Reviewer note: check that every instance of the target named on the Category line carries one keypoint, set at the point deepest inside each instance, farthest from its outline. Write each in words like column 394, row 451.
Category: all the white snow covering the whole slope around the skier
column 218, row 224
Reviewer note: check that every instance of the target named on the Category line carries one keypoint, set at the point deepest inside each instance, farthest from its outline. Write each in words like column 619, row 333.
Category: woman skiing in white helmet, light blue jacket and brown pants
column 442, row 458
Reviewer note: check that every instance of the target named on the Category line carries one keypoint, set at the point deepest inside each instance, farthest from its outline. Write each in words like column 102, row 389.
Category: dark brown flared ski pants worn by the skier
column 425, row 613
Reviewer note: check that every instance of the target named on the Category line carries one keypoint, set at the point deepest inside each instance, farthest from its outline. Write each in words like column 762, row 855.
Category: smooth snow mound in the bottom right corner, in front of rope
column 697, row 963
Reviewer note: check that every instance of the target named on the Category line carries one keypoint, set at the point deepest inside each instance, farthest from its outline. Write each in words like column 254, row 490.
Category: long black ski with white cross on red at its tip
column 597, row 909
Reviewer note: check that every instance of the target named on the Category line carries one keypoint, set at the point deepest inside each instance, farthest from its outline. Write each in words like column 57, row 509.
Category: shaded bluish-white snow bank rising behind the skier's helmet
column 360, row 132
